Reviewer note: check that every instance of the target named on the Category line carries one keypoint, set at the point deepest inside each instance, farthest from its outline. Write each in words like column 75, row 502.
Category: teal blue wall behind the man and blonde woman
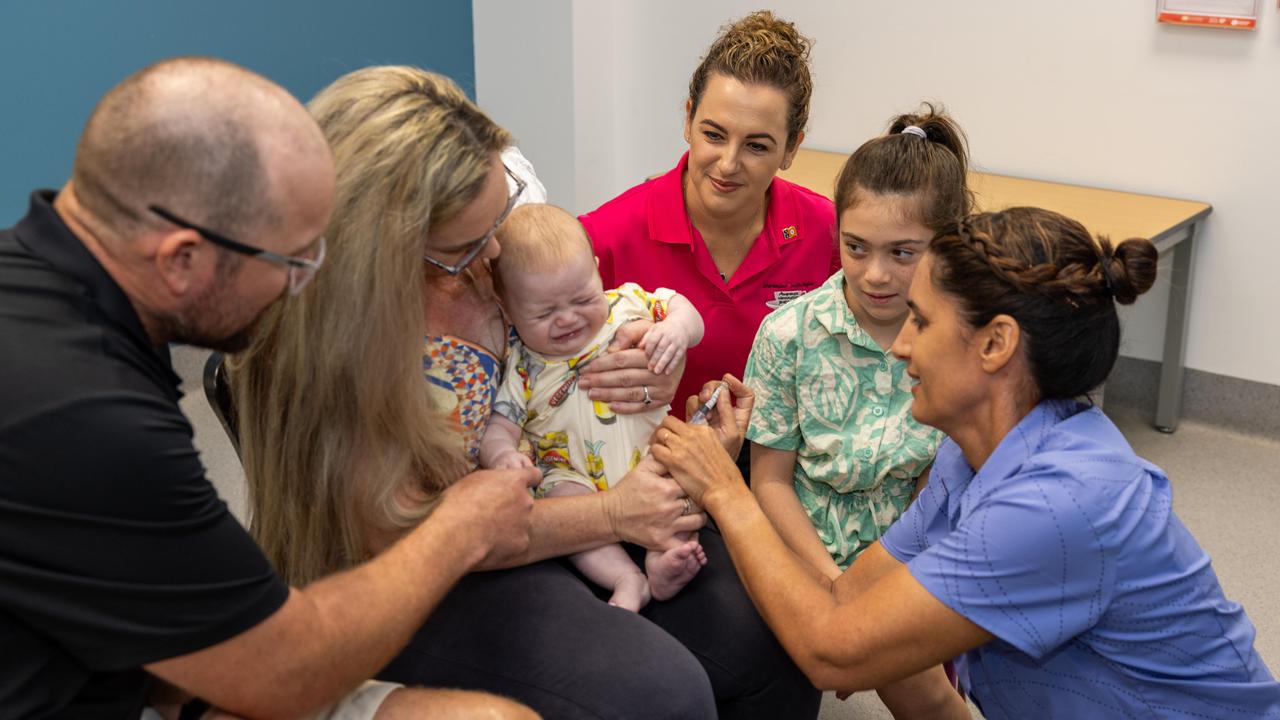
column 60, row 57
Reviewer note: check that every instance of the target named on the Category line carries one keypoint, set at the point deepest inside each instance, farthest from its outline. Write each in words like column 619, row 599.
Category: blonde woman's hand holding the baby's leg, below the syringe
column 648, row 509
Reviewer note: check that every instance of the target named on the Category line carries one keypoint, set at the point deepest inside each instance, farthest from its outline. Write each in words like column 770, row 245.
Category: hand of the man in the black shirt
column 492, row 512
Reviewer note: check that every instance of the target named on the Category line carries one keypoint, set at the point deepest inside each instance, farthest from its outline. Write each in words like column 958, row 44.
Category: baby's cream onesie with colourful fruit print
column 574, row 439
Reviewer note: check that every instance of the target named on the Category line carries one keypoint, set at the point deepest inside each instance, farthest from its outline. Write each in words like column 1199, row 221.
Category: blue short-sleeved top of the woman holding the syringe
column 1066, row 546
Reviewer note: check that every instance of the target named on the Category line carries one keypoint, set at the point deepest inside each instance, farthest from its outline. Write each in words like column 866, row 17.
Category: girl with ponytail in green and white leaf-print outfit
column 836, row 455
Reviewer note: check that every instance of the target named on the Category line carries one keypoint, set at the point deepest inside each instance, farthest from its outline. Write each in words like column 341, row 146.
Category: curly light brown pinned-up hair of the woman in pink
column 761, row 49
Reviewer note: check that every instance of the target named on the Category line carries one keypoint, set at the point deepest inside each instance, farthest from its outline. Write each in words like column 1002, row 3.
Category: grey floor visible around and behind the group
column 1226, row 490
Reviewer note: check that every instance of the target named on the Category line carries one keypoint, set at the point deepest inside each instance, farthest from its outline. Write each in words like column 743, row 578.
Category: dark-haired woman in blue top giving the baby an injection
column 1044, row 555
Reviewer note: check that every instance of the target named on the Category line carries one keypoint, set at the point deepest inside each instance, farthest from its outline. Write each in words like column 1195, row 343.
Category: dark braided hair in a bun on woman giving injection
column 1057, row 281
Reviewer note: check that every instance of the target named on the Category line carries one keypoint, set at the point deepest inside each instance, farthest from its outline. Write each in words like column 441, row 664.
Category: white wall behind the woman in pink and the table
column 1092, row 93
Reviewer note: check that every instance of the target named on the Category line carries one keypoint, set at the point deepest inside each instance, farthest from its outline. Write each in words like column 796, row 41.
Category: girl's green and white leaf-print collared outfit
column 826, row 390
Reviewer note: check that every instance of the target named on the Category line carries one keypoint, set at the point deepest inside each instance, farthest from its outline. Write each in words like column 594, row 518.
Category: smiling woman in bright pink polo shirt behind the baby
column 720, row 229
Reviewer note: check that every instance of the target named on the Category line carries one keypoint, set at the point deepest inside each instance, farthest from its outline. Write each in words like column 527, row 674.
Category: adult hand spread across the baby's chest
column 621, row 376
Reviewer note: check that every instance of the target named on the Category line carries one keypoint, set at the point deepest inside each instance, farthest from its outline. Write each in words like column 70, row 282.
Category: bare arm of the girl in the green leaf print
column 772, row 482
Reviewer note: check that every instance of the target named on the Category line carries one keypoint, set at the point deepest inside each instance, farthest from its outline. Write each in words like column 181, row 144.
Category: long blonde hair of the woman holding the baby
column 337, row 430
